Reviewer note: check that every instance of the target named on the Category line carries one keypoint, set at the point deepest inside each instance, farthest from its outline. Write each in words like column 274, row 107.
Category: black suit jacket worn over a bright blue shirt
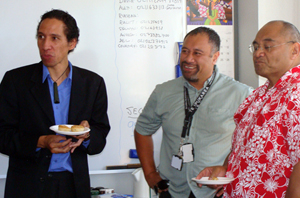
column 26, row 114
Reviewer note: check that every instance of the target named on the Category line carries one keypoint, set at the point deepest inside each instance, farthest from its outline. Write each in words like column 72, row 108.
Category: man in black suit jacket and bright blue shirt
column 52, row 92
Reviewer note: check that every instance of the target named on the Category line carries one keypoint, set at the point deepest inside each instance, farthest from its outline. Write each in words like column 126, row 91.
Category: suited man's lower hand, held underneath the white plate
column 55, row 143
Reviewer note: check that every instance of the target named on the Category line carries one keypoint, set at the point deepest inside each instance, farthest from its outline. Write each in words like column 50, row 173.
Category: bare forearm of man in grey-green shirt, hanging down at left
column 144, row 147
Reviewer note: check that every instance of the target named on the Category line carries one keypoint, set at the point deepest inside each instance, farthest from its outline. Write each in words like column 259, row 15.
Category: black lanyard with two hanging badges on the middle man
column 186, row 150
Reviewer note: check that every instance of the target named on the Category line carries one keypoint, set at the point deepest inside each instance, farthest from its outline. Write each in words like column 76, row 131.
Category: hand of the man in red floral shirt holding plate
column 211, row 172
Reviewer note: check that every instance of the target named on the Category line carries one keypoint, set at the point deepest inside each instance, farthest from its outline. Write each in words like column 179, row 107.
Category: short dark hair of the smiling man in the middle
column 213, row 37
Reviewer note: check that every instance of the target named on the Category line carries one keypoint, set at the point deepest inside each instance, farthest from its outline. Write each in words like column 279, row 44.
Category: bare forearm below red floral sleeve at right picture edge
column 293, row 190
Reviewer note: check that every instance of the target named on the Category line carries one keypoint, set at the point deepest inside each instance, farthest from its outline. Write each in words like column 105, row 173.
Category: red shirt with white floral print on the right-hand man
column 266, row 141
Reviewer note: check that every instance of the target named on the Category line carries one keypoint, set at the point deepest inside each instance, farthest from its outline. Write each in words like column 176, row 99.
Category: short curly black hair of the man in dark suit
column 71, row 29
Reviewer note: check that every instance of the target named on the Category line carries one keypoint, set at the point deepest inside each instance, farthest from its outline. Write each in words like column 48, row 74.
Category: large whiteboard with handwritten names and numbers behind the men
column 130, row 43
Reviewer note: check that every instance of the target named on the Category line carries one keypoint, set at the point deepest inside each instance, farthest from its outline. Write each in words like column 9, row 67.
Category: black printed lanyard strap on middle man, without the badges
column 190, row 110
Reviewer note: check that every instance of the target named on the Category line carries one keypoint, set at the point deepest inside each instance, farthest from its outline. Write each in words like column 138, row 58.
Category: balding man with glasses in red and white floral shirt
column 264, row 158
